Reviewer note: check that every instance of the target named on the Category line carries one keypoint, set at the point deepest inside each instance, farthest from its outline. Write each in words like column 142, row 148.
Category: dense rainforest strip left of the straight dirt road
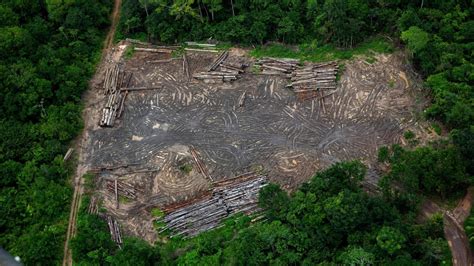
column 48, row 52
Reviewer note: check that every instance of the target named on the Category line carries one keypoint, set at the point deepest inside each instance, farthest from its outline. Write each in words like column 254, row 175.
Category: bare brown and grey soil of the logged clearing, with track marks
column 272, row 133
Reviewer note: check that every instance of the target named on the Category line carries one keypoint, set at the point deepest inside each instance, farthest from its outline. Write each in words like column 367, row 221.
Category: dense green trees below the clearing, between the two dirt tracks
column 329, row 220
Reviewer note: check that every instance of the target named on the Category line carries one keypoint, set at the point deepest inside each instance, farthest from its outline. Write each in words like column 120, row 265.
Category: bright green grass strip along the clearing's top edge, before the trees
column 316, row 53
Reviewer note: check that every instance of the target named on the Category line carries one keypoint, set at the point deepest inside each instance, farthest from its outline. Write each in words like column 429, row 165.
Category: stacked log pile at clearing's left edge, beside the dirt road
column 114, row 80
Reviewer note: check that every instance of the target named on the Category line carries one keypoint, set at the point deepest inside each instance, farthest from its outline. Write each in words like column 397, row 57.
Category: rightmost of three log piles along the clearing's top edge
column 314, row 77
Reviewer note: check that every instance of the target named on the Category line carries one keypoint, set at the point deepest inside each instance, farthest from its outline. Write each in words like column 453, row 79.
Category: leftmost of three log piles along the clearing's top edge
column 221, row 70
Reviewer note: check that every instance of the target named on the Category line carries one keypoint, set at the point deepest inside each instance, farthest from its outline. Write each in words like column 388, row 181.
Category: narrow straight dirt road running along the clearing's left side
column 80, row 143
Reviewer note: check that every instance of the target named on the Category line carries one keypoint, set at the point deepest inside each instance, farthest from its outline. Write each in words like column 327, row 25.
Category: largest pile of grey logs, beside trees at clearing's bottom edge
column 226, row 199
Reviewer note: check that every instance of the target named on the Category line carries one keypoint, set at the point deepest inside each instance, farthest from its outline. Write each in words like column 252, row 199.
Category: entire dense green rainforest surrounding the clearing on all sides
column 48, row 51
